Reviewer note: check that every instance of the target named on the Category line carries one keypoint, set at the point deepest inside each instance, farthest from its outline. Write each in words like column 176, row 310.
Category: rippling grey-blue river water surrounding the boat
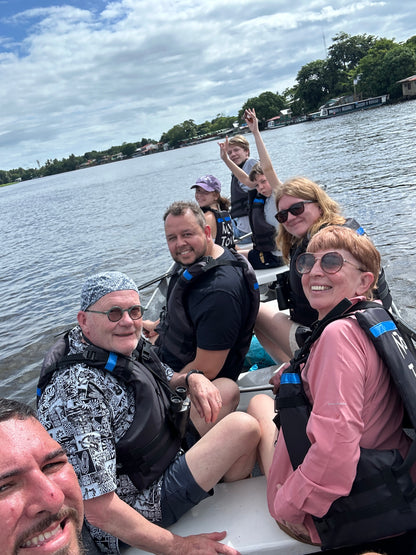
column 57, row 230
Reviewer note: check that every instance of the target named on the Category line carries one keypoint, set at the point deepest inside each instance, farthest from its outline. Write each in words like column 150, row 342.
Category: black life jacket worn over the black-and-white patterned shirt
column 153, row 439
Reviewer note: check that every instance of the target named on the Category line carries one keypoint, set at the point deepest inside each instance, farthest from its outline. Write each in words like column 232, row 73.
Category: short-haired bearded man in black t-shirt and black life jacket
column 209, row 320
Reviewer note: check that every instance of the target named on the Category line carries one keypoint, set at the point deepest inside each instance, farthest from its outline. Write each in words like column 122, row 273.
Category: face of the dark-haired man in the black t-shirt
column 187, row 241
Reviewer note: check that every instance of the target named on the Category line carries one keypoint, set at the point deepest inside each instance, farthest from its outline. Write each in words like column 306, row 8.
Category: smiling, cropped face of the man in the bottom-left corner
column 41, row 507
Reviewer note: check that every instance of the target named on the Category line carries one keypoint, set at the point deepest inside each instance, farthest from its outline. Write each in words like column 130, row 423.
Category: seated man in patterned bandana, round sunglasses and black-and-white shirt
column 98, row 411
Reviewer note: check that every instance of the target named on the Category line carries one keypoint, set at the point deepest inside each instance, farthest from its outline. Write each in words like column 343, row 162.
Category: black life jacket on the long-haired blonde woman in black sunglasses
column 299, row 307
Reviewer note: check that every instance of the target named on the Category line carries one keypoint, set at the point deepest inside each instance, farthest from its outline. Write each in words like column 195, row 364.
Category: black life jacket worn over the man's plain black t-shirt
column 176, row 343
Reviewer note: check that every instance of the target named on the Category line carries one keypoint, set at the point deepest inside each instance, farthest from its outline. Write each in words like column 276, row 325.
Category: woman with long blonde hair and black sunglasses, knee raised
column 303, row 208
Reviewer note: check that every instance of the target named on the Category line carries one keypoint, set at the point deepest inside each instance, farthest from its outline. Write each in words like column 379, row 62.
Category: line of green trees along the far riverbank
column 361, row 65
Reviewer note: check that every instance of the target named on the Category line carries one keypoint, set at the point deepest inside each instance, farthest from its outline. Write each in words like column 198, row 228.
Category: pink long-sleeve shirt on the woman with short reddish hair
column 354, row 405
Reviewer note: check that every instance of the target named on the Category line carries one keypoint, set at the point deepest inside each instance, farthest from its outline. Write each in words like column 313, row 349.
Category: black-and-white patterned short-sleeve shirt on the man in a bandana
column 87, row 411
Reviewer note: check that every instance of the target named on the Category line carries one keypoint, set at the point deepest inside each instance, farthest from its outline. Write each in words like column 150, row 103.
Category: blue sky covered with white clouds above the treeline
column 82, row 75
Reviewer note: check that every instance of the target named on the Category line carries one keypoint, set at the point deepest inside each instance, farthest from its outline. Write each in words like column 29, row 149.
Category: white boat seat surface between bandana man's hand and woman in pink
column 240, row 508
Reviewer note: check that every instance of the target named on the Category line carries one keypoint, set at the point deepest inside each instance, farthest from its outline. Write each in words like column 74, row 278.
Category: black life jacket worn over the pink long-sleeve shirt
column 382, row 501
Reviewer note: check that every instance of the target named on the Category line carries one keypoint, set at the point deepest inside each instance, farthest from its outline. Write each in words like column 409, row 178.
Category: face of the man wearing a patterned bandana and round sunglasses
column 120, row 337
